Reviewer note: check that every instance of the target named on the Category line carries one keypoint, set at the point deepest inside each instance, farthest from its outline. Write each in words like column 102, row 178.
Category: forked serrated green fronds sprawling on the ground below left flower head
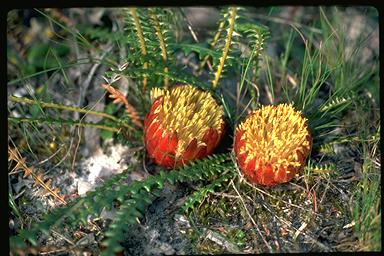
column 133, row 199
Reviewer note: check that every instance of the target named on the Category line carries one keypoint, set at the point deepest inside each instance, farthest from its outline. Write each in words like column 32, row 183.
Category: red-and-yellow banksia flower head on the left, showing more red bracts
column 183, row 124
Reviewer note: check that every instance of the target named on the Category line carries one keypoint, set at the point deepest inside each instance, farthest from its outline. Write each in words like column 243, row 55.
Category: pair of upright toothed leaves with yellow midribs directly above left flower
column 148, row 41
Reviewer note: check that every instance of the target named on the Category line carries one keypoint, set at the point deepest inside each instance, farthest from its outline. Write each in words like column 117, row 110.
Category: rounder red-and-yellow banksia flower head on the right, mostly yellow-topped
column 272, row 144
